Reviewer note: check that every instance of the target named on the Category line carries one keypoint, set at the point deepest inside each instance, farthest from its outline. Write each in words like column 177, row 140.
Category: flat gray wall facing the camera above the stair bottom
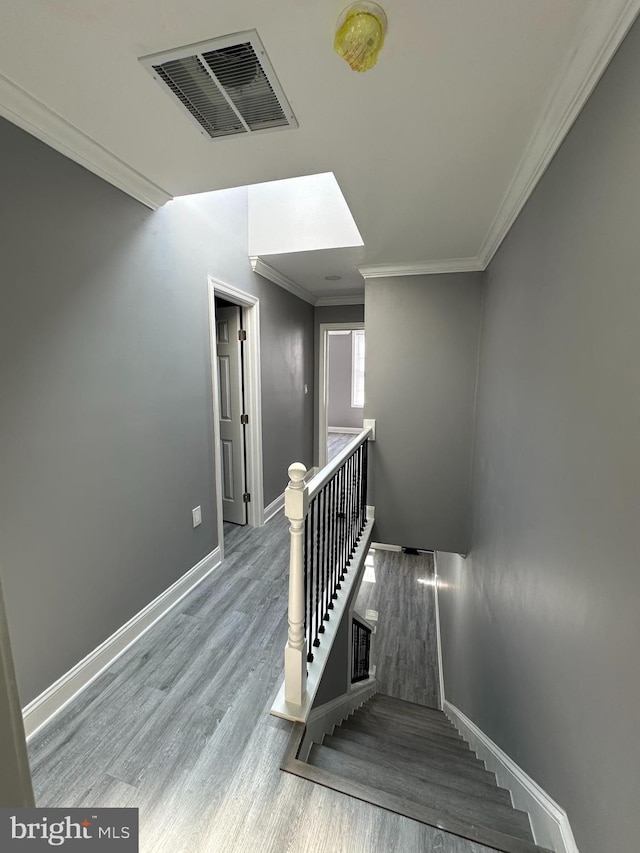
column 422, row 348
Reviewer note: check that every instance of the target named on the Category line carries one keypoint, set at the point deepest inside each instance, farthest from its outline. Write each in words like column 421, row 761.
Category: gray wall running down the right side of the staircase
column 541, row 624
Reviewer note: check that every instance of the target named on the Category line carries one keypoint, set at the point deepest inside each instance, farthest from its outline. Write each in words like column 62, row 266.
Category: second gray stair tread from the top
column 445, row 776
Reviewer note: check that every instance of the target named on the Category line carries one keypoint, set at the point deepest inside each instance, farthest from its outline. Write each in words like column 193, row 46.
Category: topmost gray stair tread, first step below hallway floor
column 483, row 812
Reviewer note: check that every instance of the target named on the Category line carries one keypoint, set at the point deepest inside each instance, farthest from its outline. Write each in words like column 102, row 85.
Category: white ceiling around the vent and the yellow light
column 435, row 149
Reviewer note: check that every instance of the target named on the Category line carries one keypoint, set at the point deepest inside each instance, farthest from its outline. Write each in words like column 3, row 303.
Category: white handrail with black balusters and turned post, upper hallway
column 327, row 517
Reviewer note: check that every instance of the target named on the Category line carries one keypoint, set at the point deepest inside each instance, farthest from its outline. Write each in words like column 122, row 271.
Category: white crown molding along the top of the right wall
column 603, row 28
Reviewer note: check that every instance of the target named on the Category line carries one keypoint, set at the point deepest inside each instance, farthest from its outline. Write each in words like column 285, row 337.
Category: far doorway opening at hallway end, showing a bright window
column 341, row 386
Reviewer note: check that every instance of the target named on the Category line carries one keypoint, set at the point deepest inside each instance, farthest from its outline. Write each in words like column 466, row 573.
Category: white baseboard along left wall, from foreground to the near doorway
column 51, row 701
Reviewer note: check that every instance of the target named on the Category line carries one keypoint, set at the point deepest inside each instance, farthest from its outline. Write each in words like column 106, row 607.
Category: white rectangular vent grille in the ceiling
column 228, row 85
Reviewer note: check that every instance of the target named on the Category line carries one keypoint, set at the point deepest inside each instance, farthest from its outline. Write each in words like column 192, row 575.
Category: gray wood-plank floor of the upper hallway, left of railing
column 179, row 728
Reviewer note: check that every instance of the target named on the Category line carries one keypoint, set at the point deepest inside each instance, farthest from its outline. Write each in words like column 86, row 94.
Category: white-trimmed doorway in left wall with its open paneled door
column 234, row 322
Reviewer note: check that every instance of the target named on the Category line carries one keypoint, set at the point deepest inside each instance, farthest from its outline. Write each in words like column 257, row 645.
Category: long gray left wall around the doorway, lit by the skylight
column 106, row 435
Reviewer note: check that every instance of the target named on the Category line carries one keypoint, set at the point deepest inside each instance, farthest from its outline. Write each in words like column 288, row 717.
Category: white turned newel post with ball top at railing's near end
column 296, row 501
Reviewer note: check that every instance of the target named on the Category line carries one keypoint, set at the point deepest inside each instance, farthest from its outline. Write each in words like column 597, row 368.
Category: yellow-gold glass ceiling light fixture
column 360, row 35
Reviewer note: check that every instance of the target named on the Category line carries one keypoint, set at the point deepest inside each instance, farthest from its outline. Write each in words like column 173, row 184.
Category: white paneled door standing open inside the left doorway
column 228, row 347
